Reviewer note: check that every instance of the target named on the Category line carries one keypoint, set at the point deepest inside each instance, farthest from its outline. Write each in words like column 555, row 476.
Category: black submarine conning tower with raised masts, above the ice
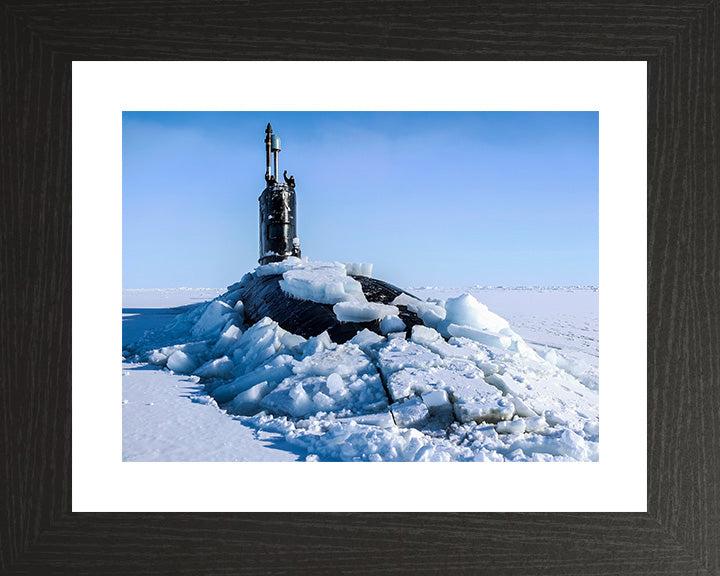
column 278, row 216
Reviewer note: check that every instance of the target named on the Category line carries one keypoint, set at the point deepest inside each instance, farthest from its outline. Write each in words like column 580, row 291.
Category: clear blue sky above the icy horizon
column 430, row 198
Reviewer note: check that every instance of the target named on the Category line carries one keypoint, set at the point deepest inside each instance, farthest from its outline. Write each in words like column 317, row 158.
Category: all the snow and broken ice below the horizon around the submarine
column 518, row 383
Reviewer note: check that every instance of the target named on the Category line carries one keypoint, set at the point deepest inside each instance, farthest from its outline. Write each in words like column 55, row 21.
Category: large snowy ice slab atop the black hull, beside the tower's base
column 323, row 283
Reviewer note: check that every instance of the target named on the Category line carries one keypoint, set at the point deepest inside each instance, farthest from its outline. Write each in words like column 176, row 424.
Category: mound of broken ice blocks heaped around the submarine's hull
column 464, row 386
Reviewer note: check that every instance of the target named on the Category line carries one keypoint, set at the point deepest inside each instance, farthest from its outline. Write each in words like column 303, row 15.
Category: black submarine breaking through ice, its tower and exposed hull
column 262, row 295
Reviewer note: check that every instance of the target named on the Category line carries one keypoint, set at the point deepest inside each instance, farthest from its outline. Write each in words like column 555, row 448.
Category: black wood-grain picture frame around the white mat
column 680, row 533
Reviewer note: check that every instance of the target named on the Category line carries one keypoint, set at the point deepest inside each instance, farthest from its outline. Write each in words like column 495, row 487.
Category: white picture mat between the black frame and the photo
column 102, row 482
